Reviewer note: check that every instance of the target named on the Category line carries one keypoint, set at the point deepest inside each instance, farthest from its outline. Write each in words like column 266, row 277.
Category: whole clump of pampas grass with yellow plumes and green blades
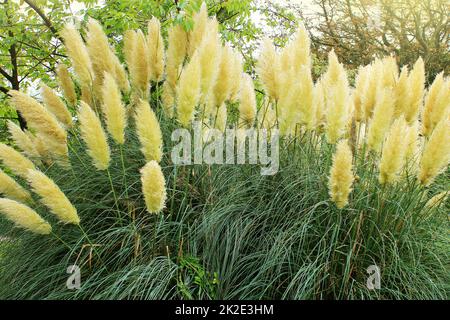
column 362, row 179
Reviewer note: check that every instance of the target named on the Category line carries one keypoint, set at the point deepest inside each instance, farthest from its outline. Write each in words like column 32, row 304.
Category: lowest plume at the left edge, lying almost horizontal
column 23, row 216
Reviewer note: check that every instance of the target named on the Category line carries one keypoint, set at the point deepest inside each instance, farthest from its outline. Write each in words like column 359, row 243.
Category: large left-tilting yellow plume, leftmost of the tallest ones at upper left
column 78, row 54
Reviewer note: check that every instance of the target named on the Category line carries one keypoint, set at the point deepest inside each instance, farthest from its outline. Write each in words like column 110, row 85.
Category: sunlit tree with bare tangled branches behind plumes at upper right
column 360, row 30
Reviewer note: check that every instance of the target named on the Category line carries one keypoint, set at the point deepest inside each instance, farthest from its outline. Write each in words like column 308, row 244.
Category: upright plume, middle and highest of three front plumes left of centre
column 113, row 109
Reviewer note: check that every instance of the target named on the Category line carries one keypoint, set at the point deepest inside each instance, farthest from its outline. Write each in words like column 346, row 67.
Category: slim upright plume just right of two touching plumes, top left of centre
column 156, row 50
